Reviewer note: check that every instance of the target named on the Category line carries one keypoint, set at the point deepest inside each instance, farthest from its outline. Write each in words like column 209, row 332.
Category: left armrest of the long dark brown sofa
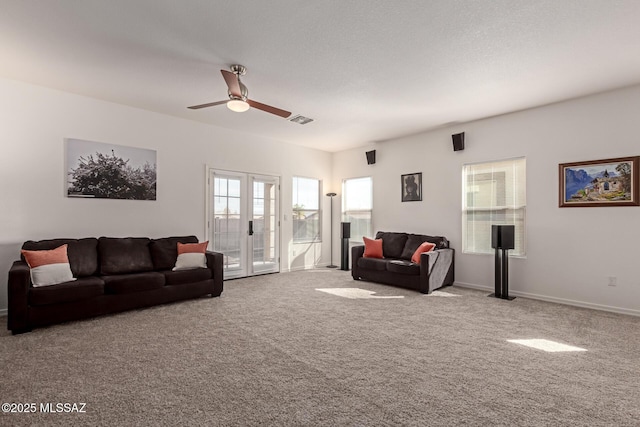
column 18, row 295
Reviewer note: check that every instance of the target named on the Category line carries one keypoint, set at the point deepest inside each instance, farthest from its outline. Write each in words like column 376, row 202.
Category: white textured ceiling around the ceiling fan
column 365, row 70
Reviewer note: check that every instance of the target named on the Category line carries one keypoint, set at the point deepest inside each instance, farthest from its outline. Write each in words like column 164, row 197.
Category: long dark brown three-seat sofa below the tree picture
column 112, row 275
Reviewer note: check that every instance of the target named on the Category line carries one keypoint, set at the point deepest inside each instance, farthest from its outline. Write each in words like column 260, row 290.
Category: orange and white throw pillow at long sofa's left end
column 48, row 267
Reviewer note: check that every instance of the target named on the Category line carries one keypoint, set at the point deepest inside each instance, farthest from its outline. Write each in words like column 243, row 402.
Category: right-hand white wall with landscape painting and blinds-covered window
column 571, row 252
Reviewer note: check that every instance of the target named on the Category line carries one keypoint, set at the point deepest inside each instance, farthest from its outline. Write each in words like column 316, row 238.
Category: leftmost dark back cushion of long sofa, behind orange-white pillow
column 82, row 253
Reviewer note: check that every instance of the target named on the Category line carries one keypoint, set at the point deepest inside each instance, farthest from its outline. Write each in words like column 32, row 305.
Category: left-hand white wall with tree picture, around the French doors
column 35, row 122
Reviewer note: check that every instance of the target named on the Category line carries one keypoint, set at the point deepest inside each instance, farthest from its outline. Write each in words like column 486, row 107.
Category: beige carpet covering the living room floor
column 275, row 351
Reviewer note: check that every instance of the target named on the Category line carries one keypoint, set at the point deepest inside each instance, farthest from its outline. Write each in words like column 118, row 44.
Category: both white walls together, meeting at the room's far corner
column 570, row 251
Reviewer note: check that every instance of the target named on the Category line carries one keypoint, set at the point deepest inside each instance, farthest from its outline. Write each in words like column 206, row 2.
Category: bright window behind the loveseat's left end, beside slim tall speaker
column 357, row 204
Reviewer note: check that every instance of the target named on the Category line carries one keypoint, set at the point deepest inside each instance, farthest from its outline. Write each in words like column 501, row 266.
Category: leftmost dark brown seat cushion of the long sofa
column 83, row 288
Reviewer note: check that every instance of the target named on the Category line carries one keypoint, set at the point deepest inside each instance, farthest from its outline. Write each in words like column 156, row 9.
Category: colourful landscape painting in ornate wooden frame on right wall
column 608, row 182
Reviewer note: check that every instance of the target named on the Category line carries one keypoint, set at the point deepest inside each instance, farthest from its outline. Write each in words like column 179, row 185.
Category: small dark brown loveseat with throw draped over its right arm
column 436, row 268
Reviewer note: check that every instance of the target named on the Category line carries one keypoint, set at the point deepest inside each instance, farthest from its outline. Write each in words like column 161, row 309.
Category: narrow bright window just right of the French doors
column 306, row 209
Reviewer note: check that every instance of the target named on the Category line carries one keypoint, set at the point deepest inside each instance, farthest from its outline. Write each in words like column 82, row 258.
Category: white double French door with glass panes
column 243, row 222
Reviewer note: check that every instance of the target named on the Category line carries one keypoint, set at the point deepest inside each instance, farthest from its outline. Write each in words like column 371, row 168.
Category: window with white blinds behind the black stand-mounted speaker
column 493, row 193
